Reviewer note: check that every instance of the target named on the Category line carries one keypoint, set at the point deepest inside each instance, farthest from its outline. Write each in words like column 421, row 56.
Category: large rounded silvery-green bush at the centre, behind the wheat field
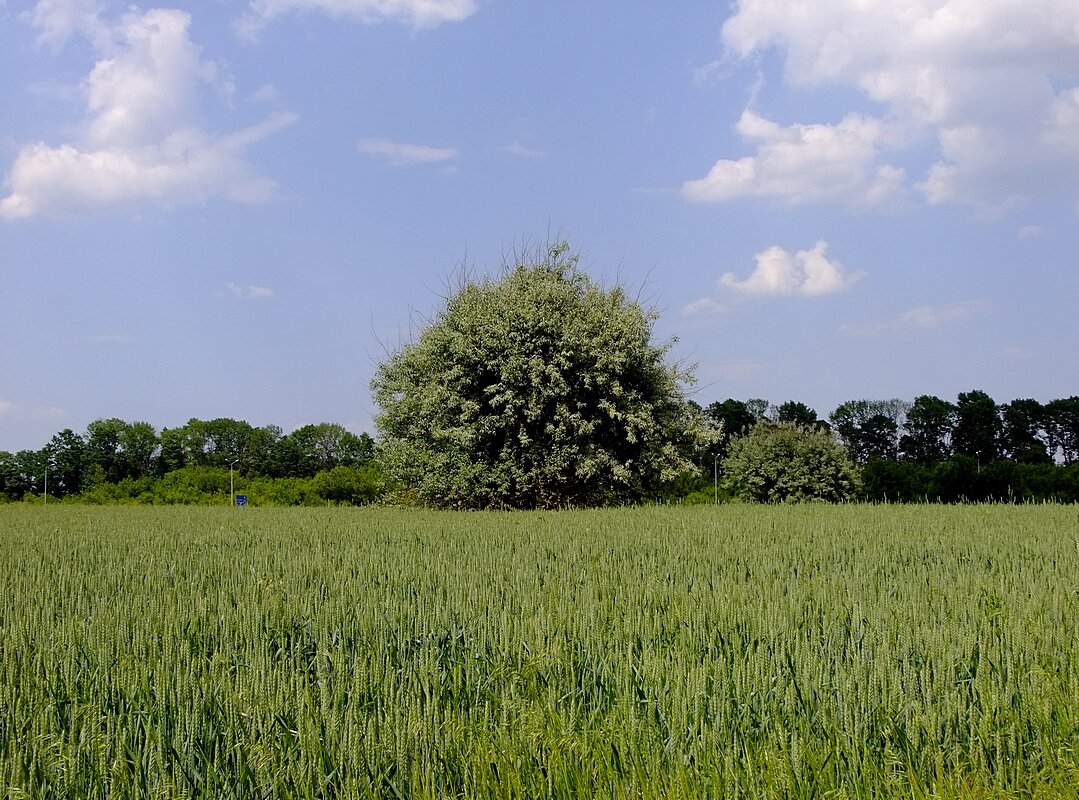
column 538, row 389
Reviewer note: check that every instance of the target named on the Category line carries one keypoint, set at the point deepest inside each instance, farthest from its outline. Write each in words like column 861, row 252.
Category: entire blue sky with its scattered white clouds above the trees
column 234, row 210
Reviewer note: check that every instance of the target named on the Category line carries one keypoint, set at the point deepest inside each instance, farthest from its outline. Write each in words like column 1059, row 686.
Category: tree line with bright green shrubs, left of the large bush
column 116, row 460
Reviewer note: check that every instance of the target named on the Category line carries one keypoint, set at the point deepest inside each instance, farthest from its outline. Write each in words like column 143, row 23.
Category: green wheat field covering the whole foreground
column 733, row 652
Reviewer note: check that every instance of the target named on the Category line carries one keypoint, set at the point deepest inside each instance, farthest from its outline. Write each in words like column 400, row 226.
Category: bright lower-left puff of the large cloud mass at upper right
column 803, row 164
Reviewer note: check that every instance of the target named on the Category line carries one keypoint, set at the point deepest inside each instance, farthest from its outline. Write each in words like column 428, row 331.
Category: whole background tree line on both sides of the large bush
column 930, row 450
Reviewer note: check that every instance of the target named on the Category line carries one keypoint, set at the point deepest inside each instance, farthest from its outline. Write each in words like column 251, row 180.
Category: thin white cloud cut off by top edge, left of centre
column 416, row 13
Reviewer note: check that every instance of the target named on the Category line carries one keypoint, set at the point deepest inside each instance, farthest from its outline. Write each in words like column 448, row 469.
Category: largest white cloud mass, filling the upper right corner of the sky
column 991, row 86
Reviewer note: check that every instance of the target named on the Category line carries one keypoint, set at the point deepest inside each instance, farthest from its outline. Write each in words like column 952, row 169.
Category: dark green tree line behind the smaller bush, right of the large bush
column 931, row 450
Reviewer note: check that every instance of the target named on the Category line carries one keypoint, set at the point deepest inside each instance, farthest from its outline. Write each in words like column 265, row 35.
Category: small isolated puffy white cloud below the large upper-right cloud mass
column 807, row 274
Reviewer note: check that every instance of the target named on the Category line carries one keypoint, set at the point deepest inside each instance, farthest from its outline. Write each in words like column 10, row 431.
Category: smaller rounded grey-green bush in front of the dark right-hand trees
column 778, row 463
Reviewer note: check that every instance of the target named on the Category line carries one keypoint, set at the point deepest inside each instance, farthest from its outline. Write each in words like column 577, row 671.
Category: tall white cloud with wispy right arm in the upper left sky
column 140, row 140
